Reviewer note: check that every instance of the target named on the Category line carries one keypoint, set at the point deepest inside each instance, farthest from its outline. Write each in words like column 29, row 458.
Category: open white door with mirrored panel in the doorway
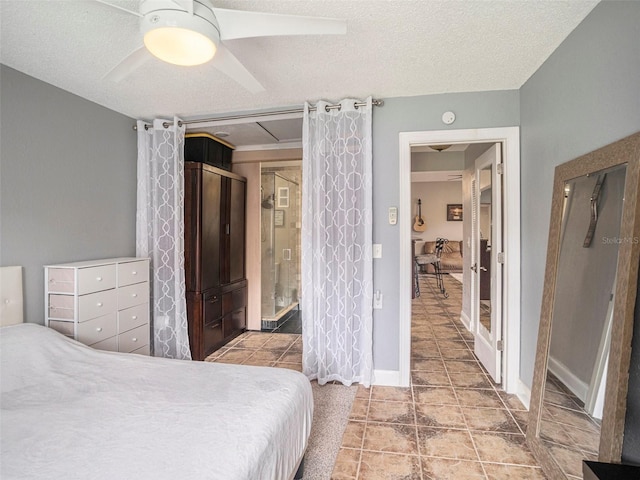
column 487, row 261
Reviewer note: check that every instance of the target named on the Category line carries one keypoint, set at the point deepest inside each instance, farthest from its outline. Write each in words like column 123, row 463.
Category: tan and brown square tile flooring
column 452, row 423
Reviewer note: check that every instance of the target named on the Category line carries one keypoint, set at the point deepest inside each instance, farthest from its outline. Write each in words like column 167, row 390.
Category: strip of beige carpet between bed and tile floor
column 332, row 405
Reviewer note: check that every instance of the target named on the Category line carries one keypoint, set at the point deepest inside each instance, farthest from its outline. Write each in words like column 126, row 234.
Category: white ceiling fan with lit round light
column 193, row 32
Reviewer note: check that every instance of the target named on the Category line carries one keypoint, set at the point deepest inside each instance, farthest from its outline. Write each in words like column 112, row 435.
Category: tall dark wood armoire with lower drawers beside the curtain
column 214, row 236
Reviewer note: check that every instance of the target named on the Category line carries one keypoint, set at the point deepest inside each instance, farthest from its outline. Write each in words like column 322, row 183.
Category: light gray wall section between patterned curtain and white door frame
column 408, row 114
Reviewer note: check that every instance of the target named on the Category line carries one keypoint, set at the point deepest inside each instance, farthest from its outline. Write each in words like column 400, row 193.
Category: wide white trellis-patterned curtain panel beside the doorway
column 336, row 243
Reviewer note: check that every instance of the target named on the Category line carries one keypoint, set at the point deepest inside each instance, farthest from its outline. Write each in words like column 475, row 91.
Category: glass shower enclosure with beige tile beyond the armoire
column 280, row 235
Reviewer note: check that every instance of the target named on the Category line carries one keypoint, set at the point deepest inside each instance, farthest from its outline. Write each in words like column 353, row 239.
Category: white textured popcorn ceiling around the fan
column 392, row 48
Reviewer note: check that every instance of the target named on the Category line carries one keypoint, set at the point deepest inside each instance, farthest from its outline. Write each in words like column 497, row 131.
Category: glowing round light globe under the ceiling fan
column 180, row 46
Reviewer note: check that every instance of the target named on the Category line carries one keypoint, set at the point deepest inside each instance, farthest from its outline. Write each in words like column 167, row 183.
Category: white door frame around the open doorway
column 510, row 139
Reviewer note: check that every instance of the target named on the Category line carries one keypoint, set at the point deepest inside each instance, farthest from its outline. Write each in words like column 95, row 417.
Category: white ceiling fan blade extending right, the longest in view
column 243, row 24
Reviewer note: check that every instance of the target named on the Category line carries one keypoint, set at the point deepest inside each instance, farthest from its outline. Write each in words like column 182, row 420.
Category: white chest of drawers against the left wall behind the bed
column 101, row 303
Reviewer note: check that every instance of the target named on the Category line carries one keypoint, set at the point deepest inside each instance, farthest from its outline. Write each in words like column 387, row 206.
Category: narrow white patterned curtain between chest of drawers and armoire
column 160, row 232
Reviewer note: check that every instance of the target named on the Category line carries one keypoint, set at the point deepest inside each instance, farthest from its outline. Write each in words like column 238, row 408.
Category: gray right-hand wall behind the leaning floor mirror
column 585, row 96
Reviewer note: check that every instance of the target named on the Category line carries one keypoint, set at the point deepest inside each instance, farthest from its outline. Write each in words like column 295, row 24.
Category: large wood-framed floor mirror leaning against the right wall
column 578, row 396
